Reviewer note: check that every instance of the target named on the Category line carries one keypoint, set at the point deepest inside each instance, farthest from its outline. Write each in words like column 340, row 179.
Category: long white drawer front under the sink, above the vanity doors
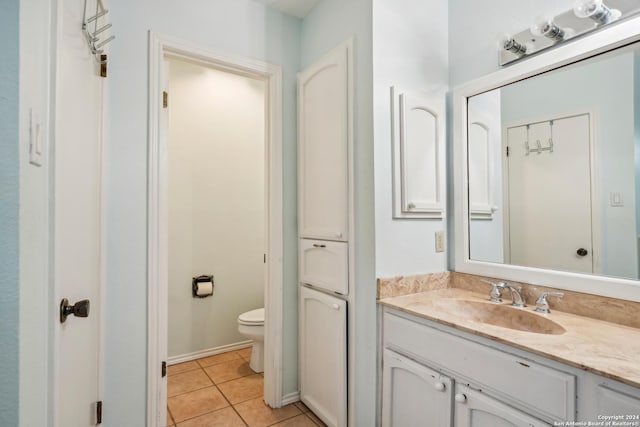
column 546, row 392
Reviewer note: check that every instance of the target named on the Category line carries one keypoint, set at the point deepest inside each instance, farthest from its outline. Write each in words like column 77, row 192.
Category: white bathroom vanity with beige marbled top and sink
column 457, row 369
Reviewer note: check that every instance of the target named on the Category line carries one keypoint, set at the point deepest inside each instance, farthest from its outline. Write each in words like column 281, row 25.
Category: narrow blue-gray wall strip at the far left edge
column 9, row 197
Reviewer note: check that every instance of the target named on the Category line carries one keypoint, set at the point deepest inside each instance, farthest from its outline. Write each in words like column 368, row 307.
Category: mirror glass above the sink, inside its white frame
column 554, row 169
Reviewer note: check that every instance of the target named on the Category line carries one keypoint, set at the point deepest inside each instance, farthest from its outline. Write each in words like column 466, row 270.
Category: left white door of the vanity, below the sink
column 413, row 394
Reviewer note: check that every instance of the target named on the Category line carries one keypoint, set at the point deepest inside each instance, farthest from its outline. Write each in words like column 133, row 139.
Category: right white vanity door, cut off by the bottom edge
column 475, row 409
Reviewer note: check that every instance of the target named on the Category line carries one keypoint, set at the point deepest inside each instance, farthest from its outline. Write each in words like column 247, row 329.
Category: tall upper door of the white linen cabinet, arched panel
column 323, row 152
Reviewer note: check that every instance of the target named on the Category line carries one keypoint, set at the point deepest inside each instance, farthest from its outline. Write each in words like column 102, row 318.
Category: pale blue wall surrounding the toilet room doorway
column 240, row 27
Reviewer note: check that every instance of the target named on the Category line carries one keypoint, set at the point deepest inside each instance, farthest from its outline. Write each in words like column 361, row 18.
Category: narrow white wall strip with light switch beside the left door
column 35, row 293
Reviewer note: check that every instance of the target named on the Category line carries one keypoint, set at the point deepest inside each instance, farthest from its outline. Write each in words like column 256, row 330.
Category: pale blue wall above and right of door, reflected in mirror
column 611, row 101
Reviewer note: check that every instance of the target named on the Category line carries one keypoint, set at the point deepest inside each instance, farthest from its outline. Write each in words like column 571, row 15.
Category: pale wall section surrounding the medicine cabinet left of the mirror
column 410, row 51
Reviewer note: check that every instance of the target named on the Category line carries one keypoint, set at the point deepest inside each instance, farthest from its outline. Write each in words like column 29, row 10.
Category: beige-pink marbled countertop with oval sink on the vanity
column 601, row 347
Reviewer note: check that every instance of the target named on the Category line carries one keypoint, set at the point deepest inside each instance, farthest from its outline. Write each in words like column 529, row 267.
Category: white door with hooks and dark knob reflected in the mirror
column 549, row 195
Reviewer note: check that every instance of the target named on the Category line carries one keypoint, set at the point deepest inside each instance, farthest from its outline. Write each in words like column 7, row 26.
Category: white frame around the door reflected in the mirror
column 595, row 193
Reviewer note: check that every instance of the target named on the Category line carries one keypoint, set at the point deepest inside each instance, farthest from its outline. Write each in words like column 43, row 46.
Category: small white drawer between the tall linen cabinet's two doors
column 325, row 264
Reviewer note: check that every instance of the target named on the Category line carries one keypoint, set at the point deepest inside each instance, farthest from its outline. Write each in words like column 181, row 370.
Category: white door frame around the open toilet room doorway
column 160, row 47
